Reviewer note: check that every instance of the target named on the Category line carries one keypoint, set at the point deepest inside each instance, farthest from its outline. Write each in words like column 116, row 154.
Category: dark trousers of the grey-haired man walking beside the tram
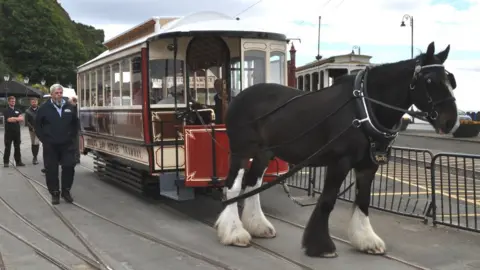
column 55, row 155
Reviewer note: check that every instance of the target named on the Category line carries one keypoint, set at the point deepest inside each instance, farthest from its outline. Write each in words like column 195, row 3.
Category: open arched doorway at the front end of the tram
column 208, row 72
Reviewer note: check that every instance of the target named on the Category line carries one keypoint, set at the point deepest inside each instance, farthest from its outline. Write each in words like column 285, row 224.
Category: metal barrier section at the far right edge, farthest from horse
column 455, row 183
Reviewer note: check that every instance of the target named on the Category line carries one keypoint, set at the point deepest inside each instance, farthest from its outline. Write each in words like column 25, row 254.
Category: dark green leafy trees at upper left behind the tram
column 38, row 39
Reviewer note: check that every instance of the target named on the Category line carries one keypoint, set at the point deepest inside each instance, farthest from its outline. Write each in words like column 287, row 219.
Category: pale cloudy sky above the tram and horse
column 372, row 25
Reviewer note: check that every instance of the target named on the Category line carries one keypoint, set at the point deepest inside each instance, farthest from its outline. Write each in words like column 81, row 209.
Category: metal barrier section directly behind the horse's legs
column 401, row 186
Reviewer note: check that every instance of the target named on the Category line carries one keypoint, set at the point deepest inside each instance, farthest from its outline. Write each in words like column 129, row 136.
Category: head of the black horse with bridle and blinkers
column 432, row 90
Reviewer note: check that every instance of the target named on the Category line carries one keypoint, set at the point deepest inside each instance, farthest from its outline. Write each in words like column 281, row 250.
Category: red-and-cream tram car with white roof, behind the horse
column 152, row 106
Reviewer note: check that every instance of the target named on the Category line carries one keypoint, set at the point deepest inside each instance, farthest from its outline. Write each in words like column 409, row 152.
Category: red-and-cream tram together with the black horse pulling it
column 177, row 105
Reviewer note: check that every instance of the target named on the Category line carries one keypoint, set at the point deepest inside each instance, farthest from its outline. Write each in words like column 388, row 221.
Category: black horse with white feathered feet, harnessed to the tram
column 347, row 125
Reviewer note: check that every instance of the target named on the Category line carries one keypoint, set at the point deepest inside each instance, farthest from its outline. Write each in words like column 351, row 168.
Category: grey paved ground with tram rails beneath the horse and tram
column 406, row 238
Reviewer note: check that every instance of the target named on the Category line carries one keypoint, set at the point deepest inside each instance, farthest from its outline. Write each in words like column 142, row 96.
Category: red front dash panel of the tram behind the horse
column 199, row 156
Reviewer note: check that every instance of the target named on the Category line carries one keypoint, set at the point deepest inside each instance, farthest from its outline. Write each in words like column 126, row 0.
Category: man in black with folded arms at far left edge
column 13, row 117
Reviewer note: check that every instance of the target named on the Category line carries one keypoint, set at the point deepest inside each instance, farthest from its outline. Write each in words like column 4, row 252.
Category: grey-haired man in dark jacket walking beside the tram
column 56, row 126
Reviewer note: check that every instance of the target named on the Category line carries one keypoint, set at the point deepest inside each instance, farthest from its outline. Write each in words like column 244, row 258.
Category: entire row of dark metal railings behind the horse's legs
column 444, row 188
